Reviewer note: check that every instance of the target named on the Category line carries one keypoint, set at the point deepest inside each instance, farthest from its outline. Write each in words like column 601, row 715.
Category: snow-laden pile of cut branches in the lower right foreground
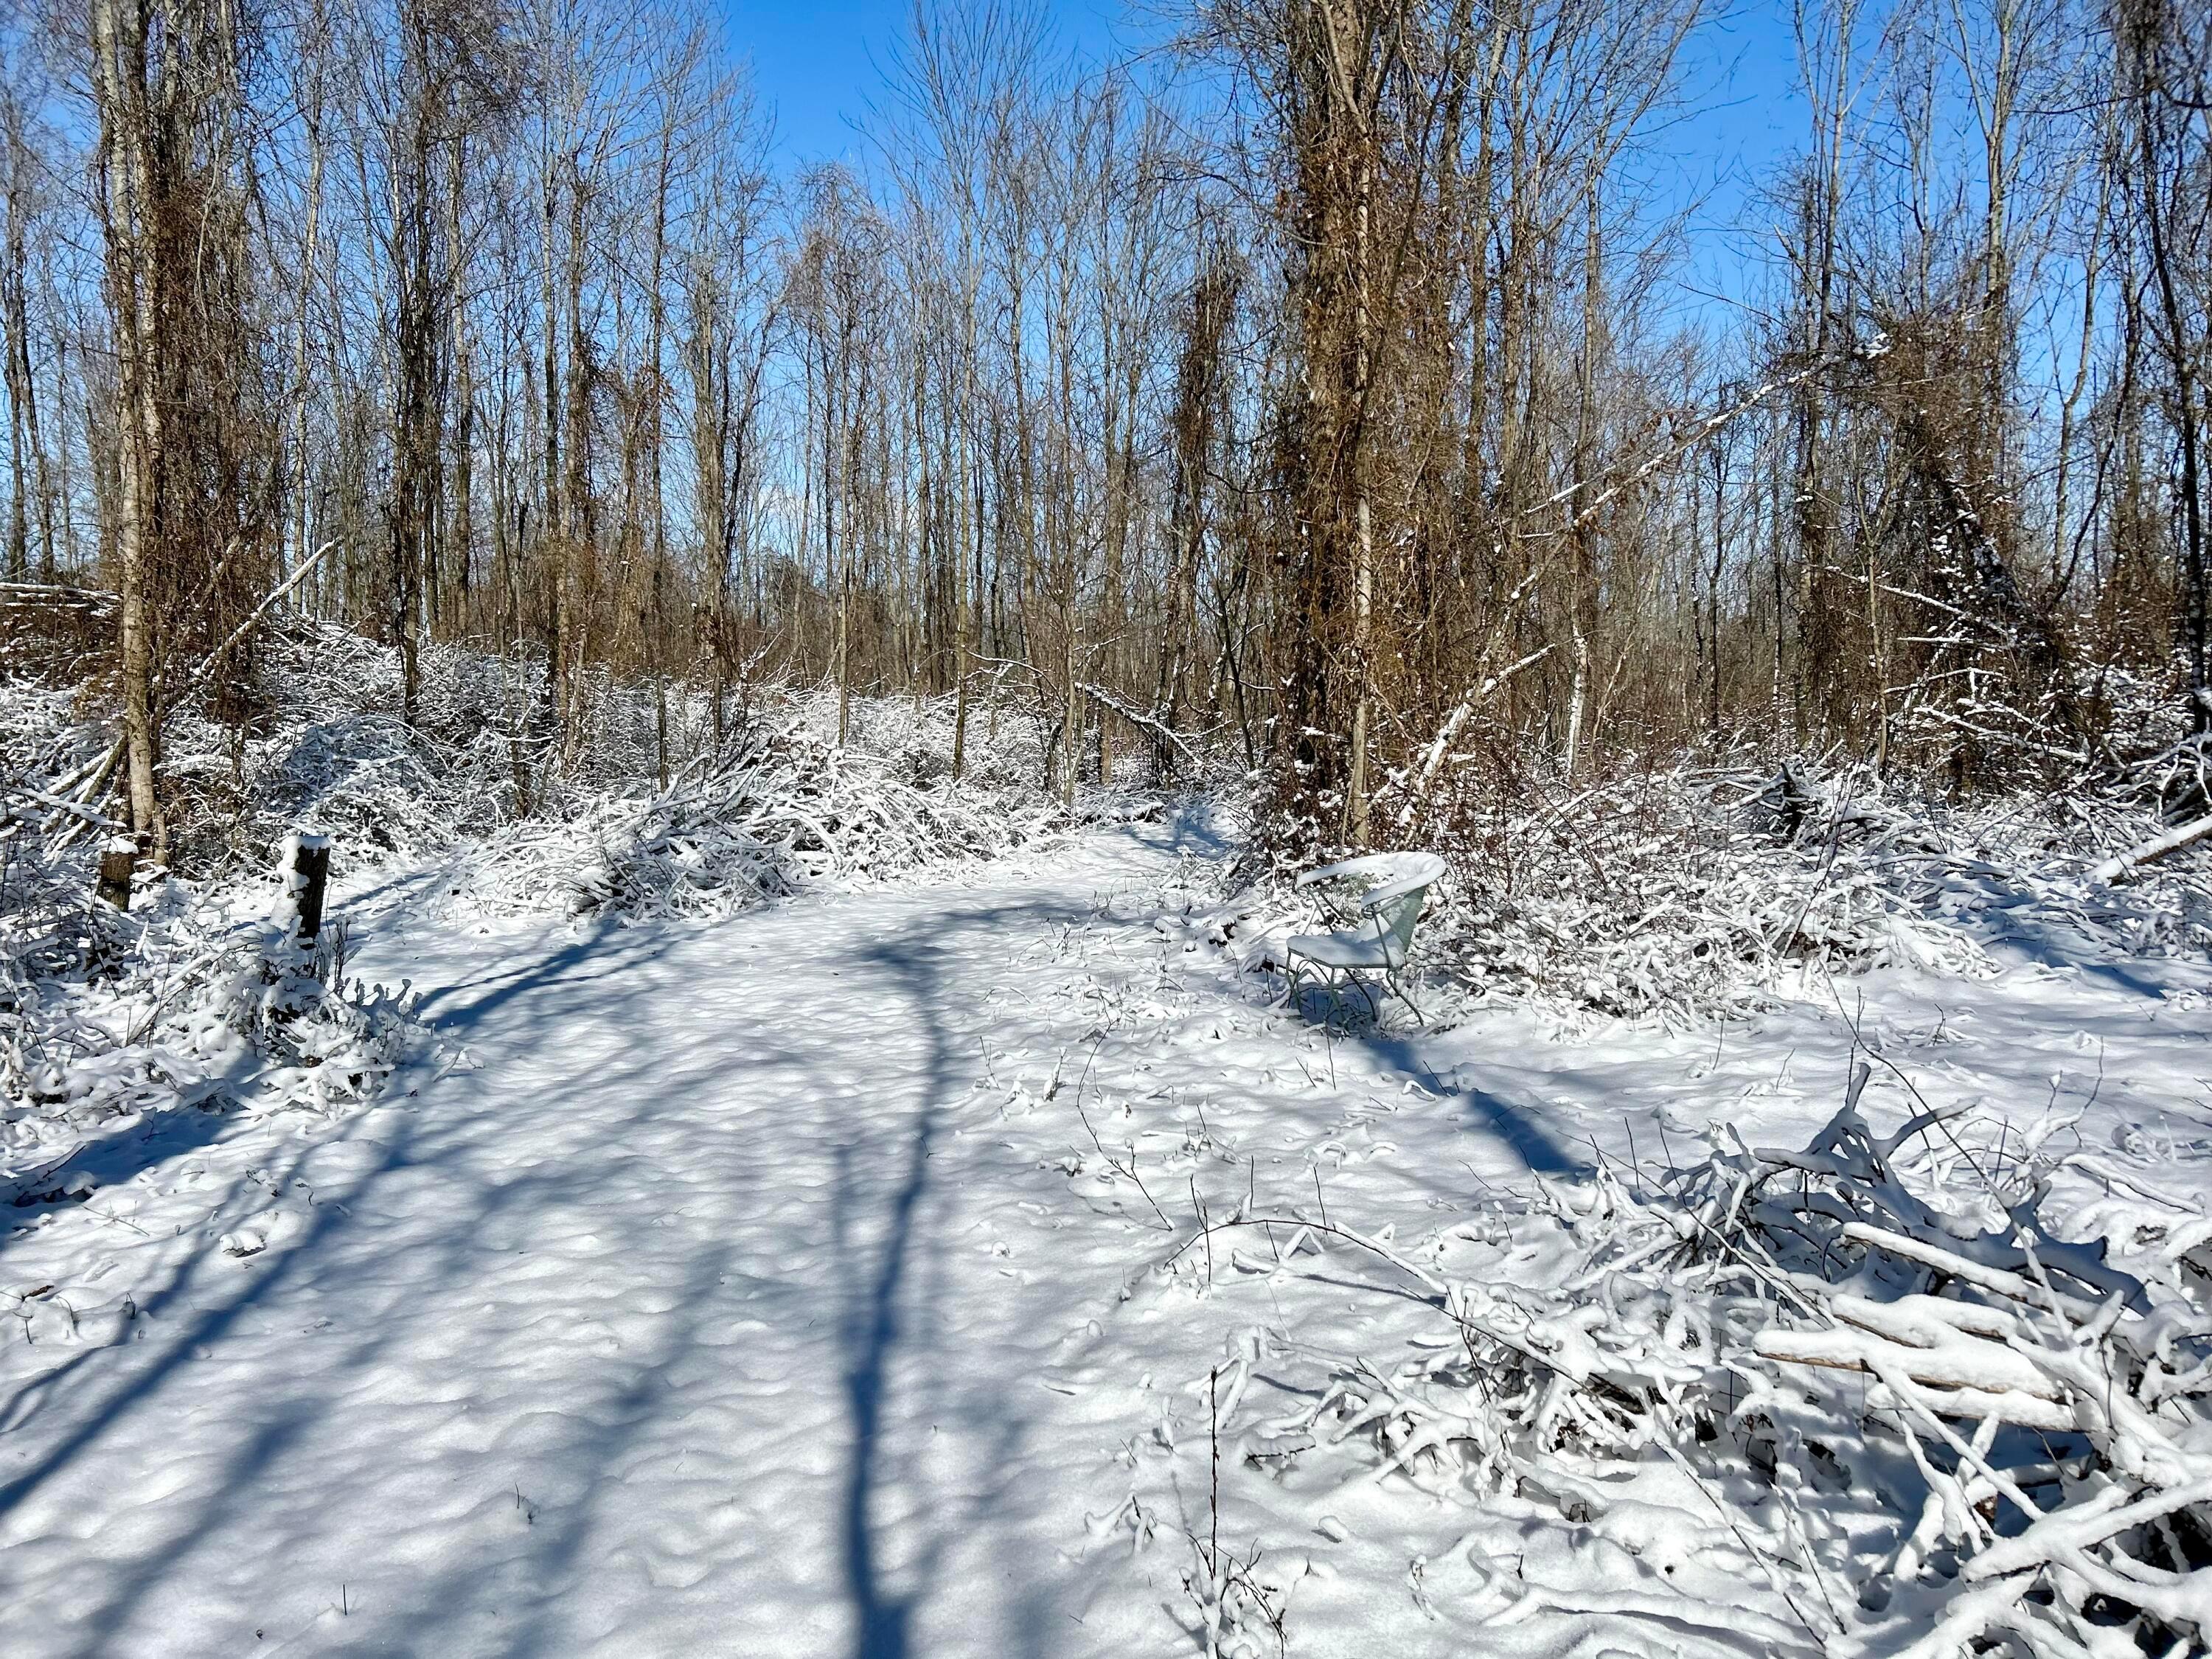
column 1868, row 1375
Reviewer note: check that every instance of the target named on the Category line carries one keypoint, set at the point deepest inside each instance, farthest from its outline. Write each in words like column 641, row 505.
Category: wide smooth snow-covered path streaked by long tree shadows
column 705, row 1315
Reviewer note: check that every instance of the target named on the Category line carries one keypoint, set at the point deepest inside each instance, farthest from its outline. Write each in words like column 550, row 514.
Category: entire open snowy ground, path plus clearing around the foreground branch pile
column 802, row 1284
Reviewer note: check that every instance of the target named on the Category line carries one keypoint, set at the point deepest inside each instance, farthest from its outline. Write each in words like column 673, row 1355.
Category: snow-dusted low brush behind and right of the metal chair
column 1695, row 895
